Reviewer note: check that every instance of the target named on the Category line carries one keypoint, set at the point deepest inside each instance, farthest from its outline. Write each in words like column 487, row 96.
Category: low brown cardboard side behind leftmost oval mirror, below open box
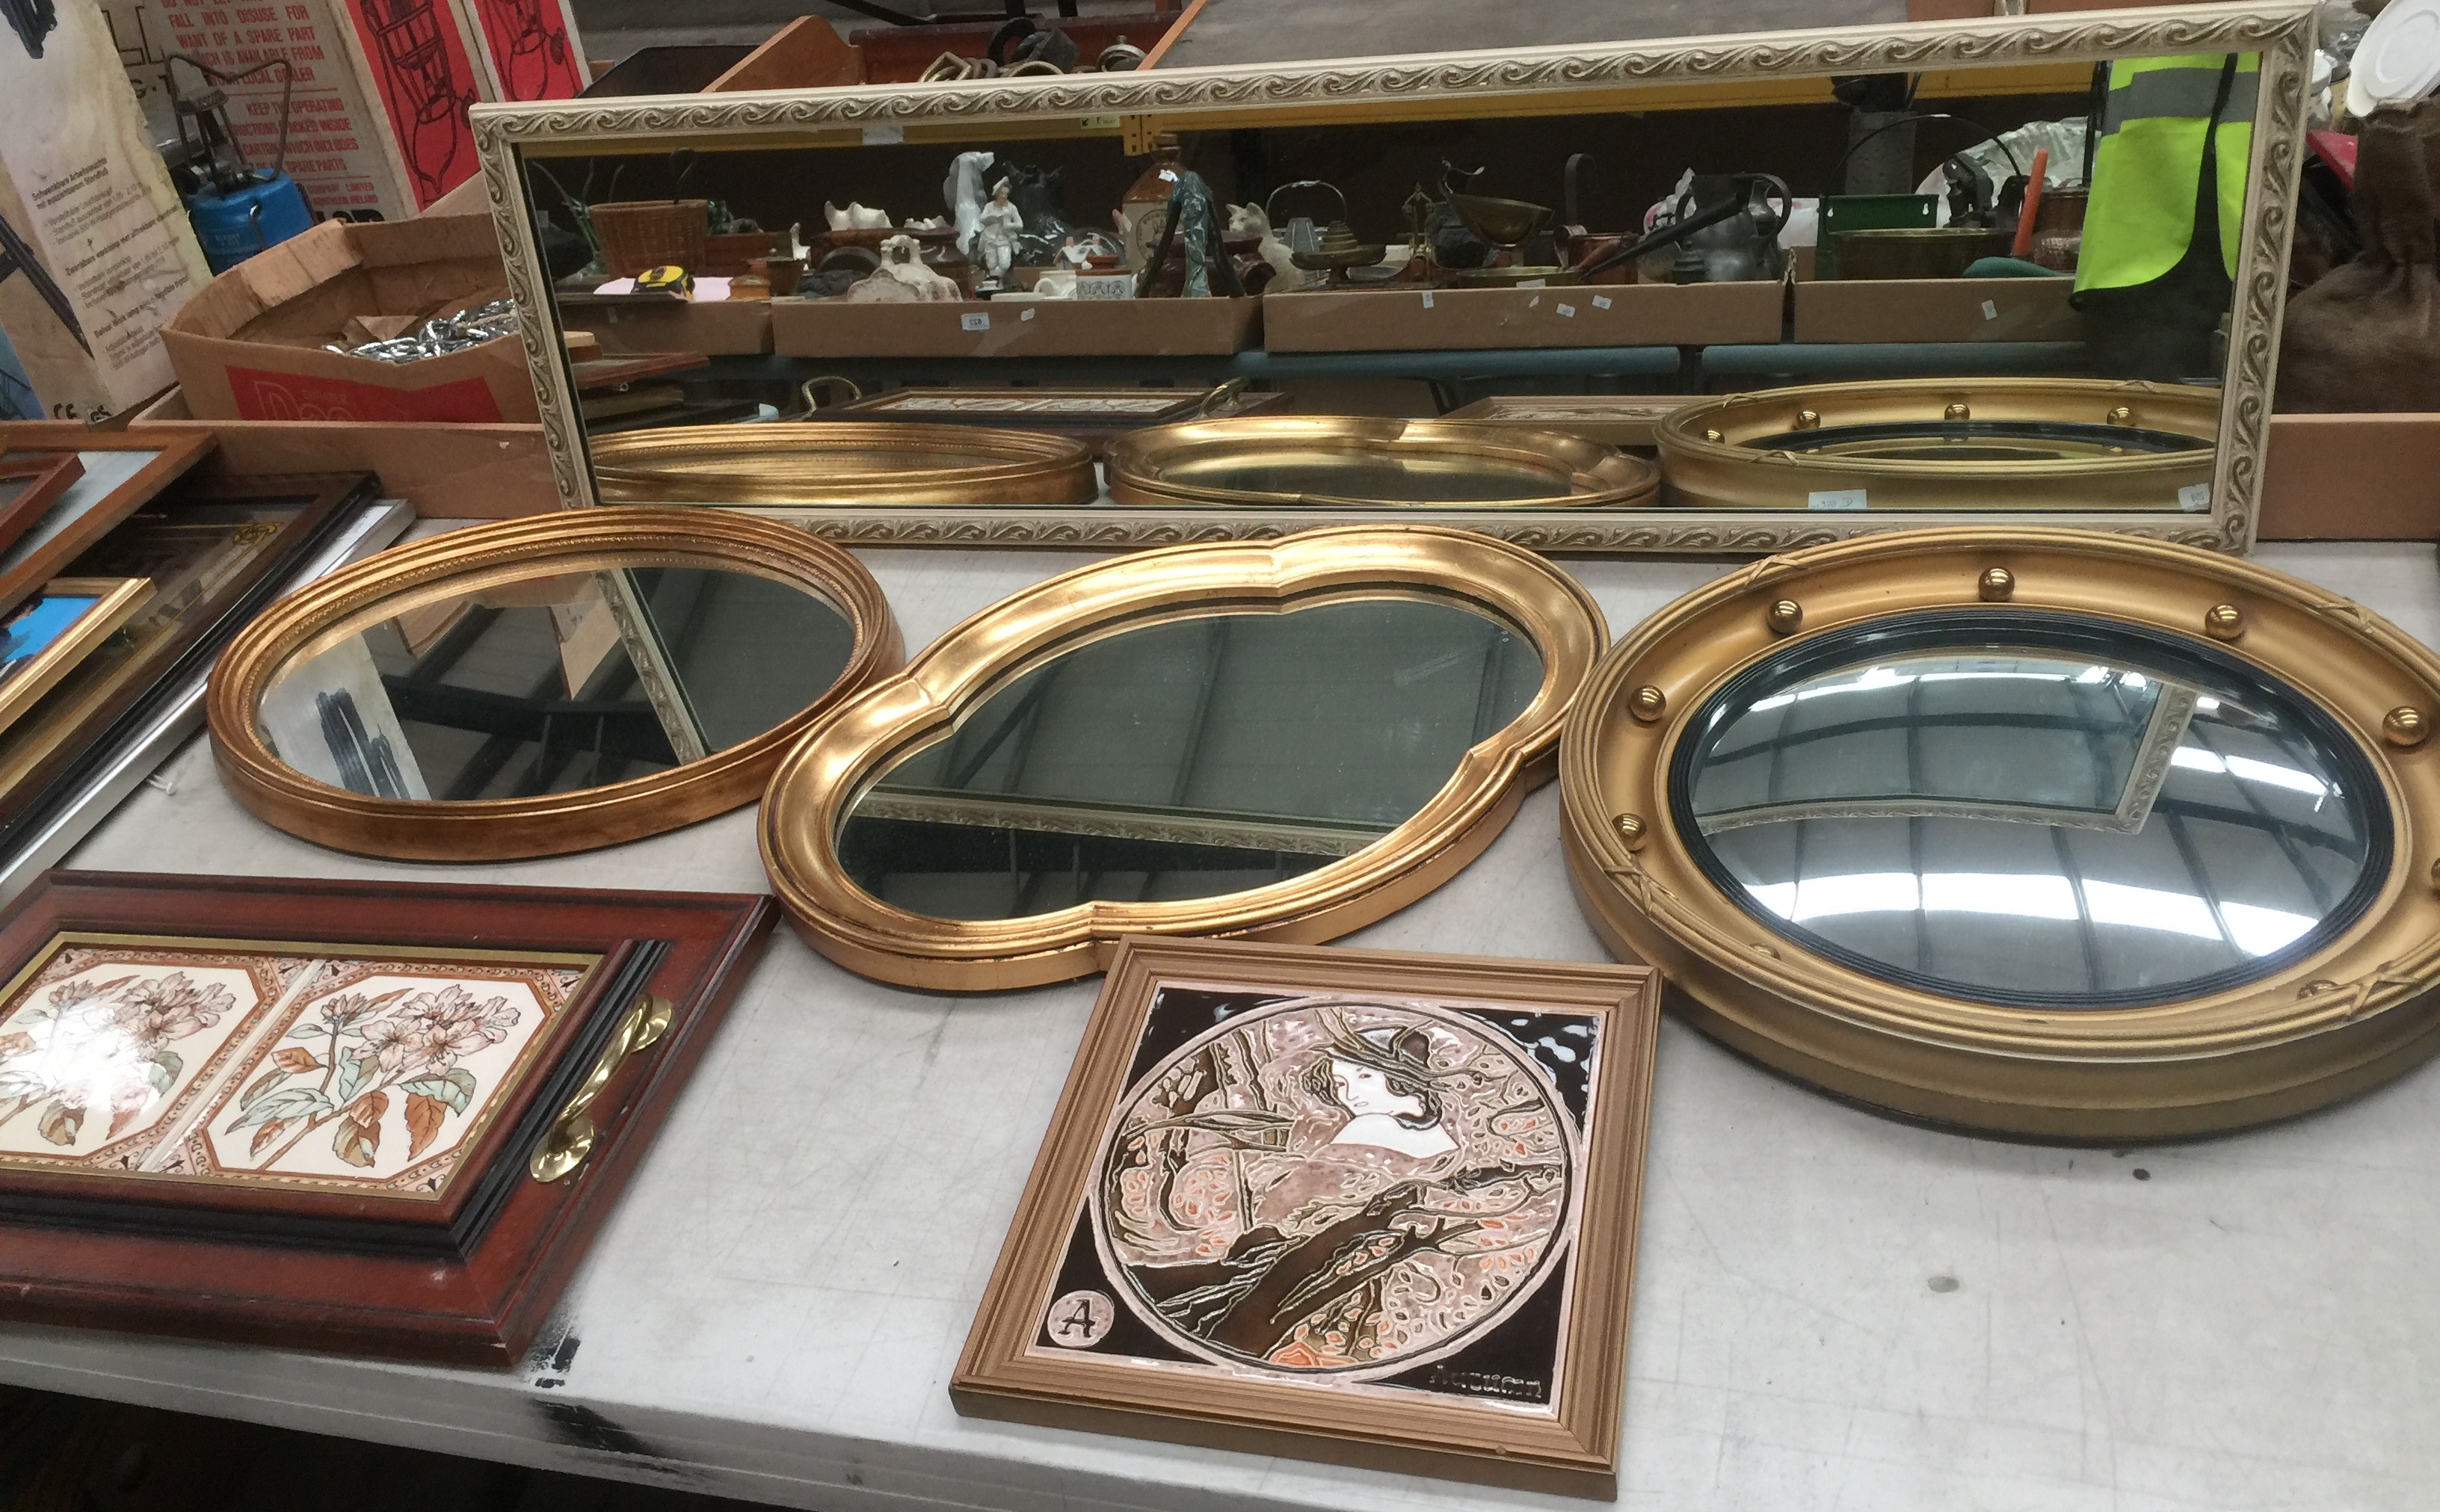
column 448, row 472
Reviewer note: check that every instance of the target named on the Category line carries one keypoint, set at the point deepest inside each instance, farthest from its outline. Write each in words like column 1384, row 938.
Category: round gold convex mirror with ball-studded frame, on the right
column 2312, row 1018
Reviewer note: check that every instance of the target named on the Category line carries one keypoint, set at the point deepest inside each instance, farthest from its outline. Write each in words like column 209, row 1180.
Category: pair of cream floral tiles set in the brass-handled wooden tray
column 299, row 1067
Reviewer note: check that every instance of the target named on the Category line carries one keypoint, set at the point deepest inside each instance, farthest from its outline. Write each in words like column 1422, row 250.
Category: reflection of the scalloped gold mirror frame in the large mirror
column 1351, row 462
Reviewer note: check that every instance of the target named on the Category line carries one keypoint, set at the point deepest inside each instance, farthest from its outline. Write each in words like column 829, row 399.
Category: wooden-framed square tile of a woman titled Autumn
column 1341, row 1206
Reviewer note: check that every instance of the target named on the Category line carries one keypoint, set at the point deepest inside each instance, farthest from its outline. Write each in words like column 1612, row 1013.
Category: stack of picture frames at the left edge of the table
column 126, row 567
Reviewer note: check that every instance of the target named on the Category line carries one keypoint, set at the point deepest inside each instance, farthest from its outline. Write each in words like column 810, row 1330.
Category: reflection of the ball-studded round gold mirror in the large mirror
column 2063, row 445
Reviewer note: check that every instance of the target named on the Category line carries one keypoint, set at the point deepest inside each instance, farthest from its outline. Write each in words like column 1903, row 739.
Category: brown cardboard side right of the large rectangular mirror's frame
column 2351, row 479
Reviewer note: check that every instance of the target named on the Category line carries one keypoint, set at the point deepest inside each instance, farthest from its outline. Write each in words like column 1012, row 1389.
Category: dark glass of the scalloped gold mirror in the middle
column 1189, row 757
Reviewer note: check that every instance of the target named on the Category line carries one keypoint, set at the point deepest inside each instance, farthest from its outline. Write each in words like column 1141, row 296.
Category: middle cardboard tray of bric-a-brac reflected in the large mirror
column 1509, row 318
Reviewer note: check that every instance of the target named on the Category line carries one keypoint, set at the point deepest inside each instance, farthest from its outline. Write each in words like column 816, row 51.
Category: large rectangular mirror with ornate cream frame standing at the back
column 1448, row 223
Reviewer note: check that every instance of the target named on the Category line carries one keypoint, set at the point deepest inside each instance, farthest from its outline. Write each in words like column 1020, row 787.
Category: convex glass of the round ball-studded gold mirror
column 2031, row 808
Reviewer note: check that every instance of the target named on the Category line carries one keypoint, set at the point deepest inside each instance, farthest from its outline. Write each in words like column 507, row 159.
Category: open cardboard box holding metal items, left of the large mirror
column 250, row 345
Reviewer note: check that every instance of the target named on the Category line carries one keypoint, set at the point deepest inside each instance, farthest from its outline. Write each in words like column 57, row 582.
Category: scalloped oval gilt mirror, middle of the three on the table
column 1209, row 740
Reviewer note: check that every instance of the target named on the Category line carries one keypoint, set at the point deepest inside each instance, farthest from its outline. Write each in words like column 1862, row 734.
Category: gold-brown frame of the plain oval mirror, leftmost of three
column 509, row 562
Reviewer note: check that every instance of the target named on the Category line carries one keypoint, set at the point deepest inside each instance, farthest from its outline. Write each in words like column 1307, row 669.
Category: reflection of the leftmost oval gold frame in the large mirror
column 838, row 462
